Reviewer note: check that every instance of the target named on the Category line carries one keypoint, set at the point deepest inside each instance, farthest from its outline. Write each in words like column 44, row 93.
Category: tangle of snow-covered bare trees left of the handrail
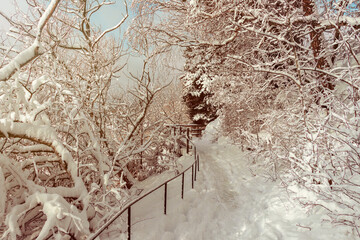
column 67, row 135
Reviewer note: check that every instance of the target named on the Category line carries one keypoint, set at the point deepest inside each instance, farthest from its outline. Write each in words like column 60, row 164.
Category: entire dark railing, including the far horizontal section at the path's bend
column 184, row 131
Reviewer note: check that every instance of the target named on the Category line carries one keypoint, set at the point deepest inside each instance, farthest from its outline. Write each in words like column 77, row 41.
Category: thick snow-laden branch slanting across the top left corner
column 31, row 52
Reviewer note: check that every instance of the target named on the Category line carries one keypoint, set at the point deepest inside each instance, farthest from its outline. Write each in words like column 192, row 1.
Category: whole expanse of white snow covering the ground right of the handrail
column 228, row 203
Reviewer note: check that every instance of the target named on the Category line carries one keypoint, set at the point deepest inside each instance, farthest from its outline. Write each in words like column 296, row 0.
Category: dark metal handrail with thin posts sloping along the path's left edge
column 195, row 166
